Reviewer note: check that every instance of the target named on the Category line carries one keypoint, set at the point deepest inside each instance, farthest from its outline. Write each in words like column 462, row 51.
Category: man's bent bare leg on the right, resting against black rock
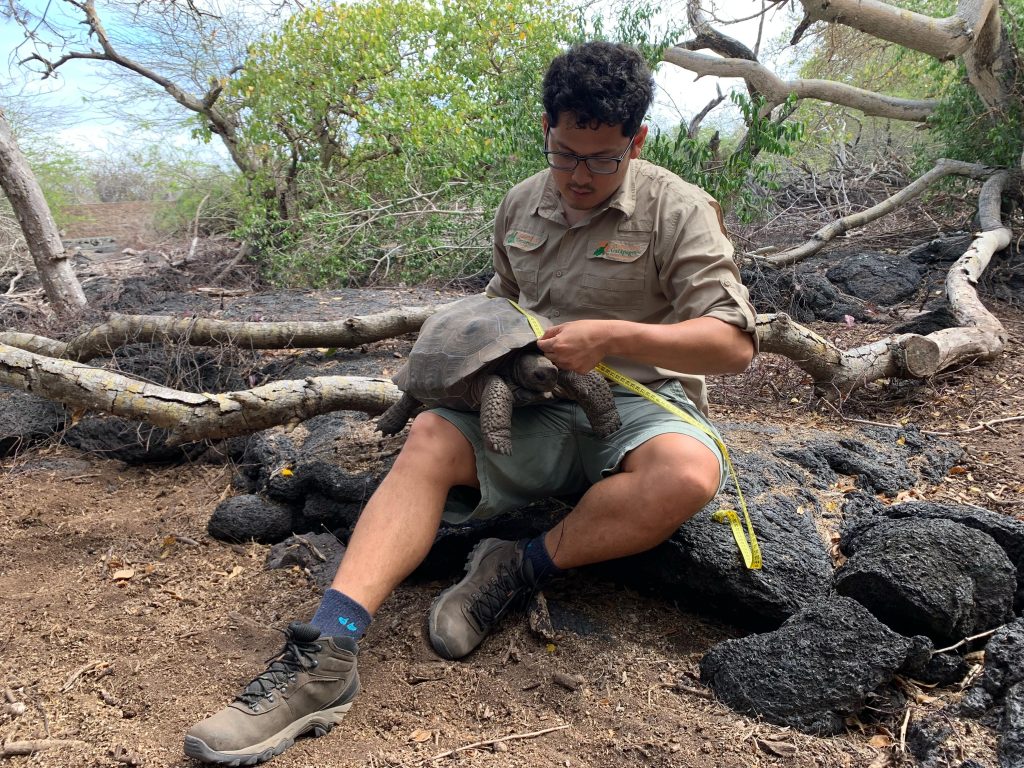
column 664, row 483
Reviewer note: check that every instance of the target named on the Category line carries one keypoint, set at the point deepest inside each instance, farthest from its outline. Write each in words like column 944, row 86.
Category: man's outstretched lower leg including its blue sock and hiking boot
column 312, row 684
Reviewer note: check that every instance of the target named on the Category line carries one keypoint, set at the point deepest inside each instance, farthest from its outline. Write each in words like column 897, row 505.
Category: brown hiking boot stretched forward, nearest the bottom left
column 309, row 687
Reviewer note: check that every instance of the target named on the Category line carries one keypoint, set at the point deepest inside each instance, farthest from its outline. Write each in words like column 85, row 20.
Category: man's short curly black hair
column 601, row 83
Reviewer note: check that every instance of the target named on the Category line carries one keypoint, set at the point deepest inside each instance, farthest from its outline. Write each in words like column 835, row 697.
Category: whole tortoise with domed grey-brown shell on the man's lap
column 482, row 355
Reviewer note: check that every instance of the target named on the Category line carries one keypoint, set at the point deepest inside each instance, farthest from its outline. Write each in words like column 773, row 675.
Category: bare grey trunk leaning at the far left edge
column 19, row 183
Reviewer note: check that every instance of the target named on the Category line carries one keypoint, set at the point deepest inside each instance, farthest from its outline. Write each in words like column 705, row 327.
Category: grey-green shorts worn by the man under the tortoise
column 556, row 454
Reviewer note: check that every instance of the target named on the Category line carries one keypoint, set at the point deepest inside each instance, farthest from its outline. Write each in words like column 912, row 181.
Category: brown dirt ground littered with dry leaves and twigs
column 124, row 623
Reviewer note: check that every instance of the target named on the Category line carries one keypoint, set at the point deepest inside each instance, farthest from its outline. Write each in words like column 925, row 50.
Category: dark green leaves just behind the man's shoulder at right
column 741, row 181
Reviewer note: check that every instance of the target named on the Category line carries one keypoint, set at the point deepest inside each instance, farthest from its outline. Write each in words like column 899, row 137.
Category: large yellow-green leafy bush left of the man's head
column 383, row 126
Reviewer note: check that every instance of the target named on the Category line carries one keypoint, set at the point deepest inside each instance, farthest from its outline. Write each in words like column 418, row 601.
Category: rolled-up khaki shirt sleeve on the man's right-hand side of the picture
column 698, row 273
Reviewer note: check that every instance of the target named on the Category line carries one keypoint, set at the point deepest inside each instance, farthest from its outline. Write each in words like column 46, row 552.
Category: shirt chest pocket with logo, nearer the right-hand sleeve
column 615, row 274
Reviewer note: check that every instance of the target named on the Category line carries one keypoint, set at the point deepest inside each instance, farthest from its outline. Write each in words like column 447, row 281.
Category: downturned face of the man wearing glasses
column 581, row 189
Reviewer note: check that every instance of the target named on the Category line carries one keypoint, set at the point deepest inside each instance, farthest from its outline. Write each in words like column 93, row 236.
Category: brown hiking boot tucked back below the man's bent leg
column 498, row 579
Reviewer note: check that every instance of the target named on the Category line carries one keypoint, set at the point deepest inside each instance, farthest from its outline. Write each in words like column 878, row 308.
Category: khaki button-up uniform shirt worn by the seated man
column 655, row 252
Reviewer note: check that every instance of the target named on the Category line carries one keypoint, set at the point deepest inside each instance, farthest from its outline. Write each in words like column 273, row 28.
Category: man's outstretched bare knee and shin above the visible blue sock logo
column 400, row 523
